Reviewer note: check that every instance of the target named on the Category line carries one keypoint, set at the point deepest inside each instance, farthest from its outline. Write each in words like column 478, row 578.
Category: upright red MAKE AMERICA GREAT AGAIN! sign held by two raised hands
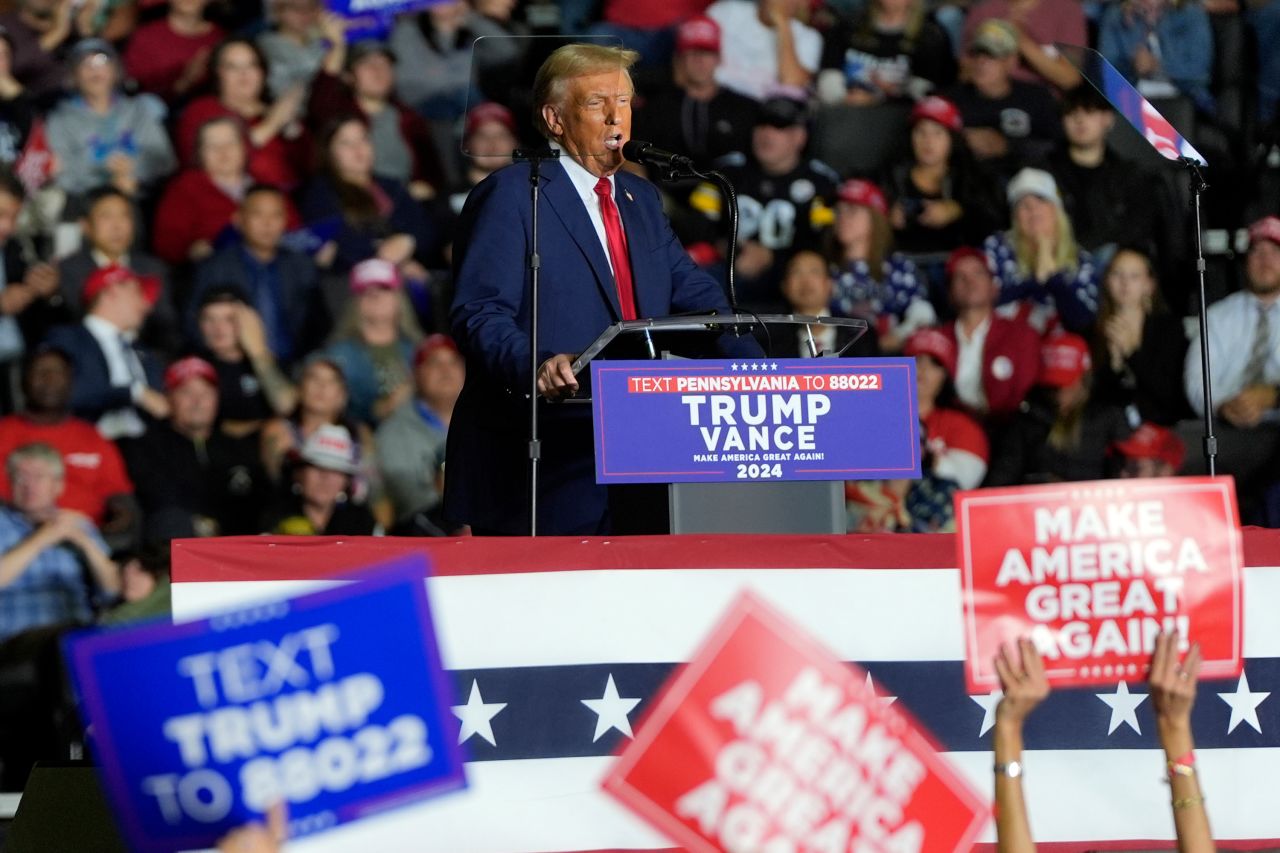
column 1094, row 572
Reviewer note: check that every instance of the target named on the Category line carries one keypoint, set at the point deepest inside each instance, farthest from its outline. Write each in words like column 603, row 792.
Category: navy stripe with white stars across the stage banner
column 545, row 715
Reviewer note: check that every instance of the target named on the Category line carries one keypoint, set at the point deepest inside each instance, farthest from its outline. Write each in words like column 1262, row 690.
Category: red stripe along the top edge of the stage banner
column 310, row 558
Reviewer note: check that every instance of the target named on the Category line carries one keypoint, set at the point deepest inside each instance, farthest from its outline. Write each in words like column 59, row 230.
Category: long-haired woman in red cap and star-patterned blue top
column 872, row 281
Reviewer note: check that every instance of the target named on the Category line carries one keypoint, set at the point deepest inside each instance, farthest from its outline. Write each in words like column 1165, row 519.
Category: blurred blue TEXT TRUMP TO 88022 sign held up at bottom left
column 333, row 704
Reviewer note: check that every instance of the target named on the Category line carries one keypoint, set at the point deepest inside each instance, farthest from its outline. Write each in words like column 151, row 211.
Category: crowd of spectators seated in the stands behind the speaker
column 227, row 234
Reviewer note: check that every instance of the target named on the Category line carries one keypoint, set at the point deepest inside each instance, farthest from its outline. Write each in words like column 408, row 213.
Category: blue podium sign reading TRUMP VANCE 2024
column 779, row 419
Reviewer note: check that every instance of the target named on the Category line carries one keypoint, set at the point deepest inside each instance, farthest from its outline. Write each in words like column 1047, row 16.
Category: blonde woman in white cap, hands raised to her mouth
column 1045, row 277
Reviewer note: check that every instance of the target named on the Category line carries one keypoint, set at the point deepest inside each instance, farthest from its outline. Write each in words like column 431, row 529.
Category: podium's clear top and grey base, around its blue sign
column 796, row 508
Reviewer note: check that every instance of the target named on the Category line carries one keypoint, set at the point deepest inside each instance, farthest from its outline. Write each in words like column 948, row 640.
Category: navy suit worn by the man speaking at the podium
column 487, row 481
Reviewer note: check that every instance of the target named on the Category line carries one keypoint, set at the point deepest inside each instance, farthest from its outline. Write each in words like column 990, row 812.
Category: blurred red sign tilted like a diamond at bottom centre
column 765, row 742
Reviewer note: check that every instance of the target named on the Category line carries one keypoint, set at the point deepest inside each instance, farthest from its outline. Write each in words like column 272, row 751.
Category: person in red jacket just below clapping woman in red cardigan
column 200, row 204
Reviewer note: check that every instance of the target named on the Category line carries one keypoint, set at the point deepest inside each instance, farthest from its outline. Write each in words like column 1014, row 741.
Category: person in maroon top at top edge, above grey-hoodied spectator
column 171, row 57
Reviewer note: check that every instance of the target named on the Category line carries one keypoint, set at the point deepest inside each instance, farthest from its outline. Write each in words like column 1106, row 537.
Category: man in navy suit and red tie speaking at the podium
column 607, row 253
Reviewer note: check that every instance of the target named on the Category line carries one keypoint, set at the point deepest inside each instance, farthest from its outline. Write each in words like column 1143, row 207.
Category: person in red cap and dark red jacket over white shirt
column 998, row 359
